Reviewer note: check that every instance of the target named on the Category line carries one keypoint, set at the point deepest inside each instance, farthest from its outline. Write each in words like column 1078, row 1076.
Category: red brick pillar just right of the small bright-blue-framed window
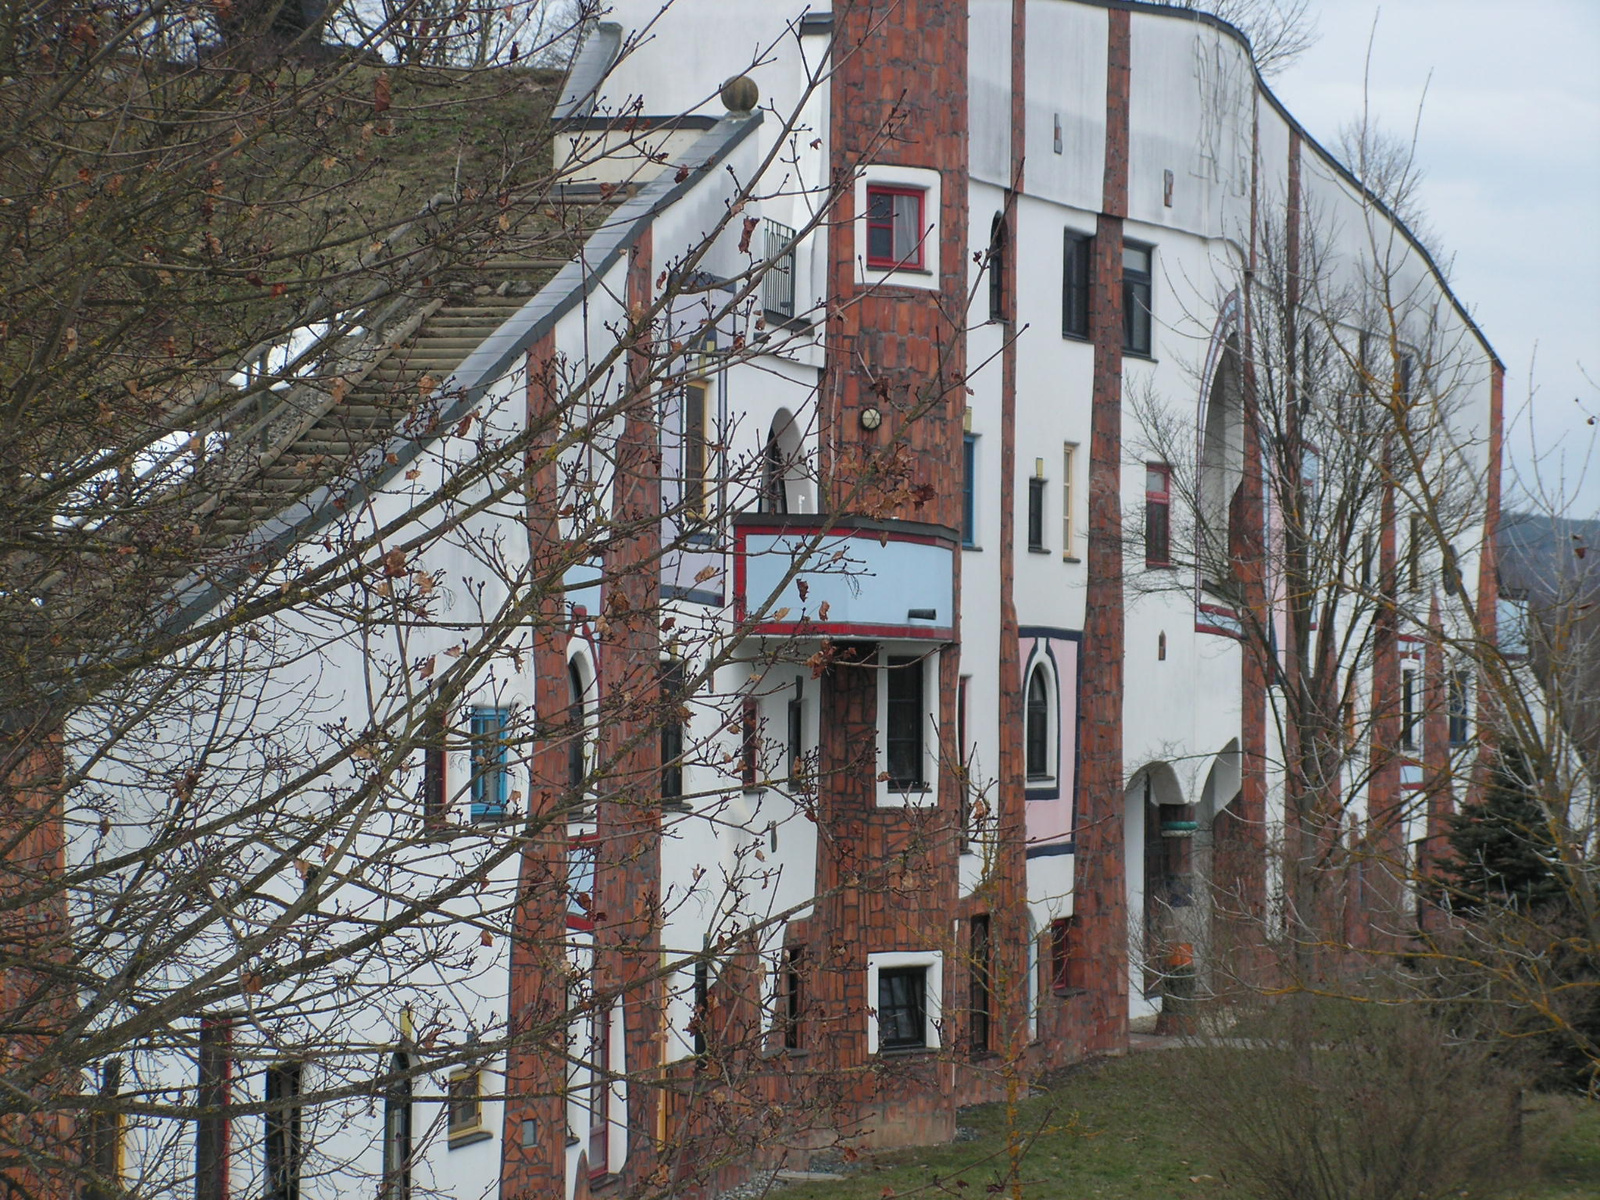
column 535, row 1068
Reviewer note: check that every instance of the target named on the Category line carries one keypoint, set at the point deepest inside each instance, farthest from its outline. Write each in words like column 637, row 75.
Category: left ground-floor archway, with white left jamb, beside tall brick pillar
column 1158, row 881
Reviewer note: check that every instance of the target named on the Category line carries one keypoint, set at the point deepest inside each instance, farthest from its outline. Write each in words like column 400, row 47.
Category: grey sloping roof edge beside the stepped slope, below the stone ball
column 494, row 358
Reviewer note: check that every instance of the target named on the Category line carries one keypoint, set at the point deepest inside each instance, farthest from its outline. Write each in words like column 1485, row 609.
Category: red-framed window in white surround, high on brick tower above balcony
column 898, row 226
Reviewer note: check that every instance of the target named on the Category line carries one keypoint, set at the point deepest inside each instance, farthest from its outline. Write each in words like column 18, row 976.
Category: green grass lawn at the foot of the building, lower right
column 1121, row 1130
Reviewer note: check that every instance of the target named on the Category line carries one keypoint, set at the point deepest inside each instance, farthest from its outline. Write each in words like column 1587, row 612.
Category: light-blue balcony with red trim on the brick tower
column 857, row 580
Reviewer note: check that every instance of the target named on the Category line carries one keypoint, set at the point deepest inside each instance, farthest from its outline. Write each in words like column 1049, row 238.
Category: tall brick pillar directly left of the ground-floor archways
column 1100, row 890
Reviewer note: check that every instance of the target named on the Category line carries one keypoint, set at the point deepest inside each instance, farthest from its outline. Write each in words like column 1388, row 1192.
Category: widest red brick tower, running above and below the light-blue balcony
column 898, row 100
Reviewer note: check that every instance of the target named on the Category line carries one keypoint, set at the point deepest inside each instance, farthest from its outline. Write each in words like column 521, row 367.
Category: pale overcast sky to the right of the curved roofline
column 1510, row 145
